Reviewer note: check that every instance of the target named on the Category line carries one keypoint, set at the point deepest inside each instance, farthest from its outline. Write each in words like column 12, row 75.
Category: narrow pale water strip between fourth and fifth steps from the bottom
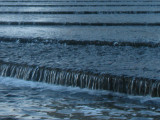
column 130, row 8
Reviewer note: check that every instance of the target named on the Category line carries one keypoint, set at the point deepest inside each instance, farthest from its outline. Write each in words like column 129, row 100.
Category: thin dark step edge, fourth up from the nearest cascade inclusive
column 80, row 12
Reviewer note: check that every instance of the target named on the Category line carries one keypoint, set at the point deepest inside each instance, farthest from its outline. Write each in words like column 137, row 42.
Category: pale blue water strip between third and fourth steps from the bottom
column 83, row 17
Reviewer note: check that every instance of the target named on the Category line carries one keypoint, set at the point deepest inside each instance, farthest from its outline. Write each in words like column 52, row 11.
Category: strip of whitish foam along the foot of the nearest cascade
column 44, row 86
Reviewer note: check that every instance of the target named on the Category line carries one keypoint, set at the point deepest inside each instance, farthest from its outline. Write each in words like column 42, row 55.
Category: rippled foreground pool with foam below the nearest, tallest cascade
column 32, row 100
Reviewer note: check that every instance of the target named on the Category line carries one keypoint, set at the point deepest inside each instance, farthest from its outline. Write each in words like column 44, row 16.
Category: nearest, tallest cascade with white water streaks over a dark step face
column 82, row 79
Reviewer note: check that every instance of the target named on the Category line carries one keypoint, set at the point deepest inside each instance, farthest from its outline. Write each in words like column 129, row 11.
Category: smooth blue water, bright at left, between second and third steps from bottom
column 85, row 33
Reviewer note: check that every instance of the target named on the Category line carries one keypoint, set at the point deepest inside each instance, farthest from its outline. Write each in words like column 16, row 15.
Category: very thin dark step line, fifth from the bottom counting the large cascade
column 77, row 5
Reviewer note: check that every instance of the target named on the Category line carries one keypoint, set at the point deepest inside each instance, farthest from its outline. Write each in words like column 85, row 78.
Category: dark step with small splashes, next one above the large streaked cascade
column 77, row 42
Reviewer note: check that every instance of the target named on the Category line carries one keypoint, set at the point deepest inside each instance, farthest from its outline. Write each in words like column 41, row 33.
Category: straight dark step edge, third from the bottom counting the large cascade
column 78, row 24
